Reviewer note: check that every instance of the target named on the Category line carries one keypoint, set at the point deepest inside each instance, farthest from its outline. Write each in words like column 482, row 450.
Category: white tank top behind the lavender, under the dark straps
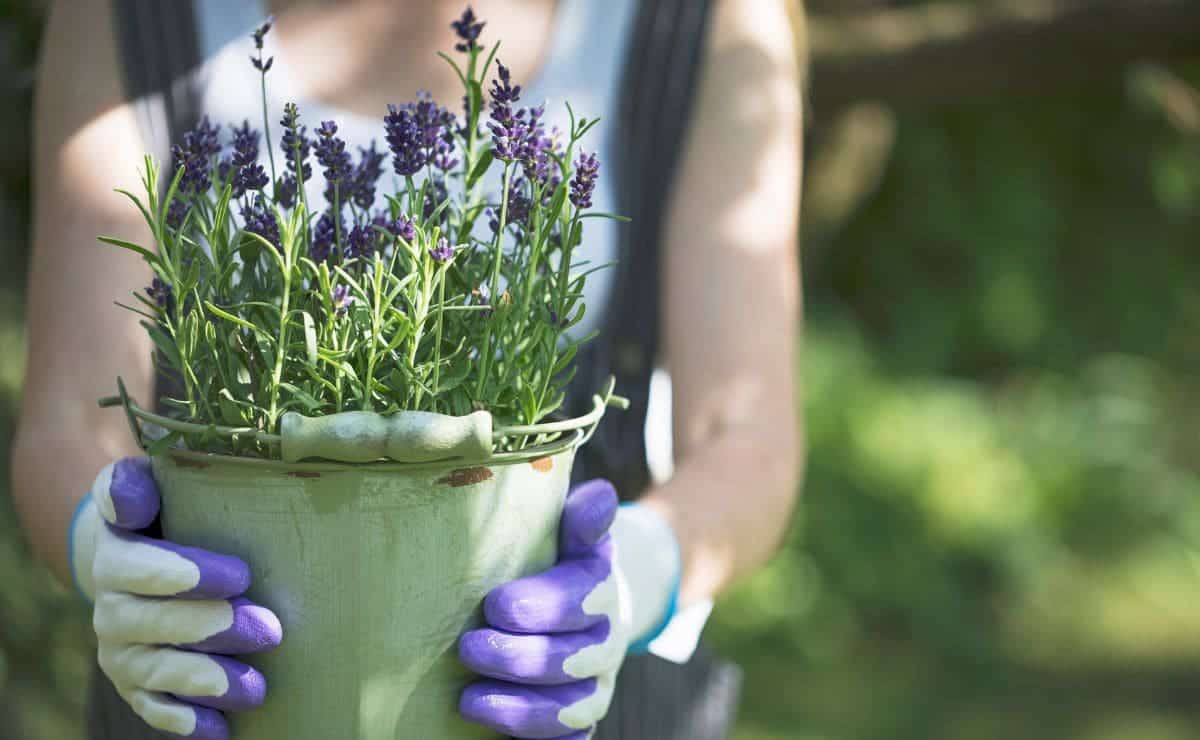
column 584, row 68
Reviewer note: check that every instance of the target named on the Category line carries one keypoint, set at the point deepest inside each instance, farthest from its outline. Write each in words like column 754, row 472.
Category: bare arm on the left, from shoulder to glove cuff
column 86, row 145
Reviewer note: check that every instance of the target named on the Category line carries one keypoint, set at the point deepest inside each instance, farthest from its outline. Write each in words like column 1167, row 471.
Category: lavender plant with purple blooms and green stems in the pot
column 447, row 300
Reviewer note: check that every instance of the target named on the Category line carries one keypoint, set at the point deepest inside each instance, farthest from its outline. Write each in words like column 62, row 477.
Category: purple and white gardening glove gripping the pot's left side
column 166, row 616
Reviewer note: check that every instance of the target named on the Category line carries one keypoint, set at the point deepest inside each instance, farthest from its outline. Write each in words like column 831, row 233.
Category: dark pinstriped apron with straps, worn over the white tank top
column 656, row 700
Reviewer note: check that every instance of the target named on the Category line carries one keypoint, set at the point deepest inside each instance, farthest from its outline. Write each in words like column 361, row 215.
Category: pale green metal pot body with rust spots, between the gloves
column 375, row 571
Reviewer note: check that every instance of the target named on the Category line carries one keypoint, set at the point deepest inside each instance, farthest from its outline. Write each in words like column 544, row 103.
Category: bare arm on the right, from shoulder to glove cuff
column 733, row 304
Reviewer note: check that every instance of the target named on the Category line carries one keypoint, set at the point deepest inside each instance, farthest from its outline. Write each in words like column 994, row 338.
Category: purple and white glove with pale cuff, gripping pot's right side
column 556, row 641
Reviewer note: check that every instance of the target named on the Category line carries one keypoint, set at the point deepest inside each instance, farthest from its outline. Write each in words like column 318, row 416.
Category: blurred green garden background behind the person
column 1000, row 534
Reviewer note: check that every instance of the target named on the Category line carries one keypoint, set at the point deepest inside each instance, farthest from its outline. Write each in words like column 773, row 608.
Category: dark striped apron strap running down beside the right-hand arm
column 661, row 81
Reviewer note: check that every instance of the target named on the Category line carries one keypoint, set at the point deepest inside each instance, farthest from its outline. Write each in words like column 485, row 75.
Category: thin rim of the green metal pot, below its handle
column 568, row 444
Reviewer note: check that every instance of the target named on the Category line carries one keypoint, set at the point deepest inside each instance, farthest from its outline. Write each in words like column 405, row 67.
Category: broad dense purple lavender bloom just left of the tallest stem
column 421, row 134
